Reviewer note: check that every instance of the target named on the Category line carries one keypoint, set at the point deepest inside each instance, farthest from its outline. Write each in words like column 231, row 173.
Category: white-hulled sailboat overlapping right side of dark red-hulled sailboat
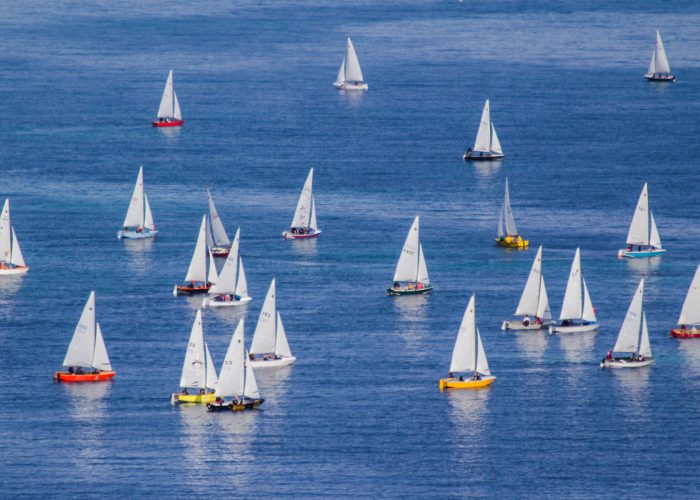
column 230, row 287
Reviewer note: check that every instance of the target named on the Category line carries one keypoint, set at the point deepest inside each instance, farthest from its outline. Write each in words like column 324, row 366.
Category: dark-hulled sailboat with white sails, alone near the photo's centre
column 411, row 276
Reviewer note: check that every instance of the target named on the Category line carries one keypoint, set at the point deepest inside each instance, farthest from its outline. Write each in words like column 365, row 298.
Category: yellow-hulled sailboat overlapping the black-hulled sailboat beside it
column 198, row 370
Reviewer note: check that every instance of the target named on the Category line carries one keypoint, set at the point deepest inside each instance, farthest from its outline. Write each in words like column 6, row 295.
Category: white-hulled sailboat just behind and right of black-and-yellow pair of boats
column 270, row 347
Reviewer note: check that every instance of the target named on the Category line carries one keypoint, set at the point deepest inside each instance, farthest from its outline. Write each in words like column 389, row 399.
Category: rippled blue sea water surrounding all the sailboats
column 359, row 414
